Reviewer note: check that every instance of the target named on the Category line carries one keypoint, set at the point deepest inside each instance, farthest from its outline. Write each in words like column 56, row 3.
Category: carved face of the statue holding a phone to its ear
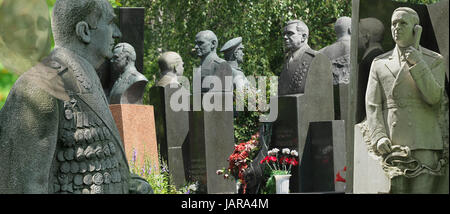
column 402, row 27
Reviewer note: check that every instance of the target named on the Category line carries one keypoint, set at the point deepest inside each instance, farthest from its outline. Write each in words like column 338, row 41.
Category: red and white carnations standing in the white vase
column 281, row 165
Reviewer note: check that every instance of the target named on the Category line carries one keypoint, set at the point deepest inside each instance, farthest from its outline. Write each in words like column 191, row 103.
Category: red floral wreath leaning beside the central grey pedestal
column 242, row 155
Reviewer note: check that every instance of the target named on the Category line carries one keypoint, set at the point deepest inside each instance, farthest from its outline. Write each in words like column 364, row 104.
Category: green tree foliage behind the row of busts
column 172, row 25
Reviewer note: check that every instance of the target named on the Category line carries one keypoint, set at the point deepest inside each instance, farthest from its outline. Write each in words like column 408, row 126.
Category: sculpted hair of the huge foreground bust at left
column 67, row 13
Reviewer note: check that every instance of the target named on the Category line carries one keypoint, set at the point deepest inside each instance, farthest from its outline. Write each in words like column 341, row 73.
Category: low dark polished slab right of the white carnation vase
column 324, row 156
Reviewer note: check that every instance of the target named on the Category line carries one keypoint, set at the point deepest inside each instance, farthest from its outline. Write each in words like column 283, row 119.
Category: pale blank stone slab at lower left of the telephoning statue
column 368, row 175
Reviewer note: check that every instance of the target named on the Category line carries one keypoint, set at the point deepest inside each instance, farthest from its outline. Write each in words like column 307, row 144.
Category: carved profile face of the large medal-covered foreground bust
column 102, row 37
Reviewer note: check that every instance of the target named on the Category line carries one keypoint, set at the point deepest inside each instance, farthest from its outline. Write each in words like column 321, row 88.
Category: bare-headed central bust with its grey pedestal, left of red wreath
column 211, row 131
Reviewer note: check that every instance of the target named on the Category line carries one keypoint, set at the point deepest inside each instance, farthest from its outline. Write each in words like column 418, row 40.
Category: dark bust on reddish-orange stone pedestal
column 125, row 98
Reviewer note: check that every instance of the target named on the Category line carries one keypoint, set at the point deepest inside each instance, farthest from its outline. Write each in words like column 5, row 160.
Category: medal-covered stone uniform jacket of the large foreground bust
column 57, row 134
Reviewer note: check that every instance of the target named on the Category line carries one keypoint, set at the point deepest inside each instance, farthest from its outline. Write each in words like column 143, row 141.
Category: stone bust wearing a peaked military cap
column 234, row 55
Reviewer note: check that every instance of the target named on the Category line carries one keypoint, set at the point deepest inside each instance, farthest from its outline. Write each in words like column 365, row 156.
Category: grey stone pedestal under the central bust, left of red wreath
column 211, row 142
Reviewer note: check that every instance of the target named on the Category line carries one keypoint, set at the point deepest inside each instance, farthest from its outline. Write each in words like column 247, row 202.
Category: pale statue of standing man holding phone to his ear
column 405, row 100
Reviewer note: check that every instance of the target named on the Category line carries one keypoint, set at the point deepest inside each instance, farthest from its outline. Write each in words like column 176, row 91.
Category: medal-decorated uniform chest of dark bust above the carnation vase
column 296, row 68
